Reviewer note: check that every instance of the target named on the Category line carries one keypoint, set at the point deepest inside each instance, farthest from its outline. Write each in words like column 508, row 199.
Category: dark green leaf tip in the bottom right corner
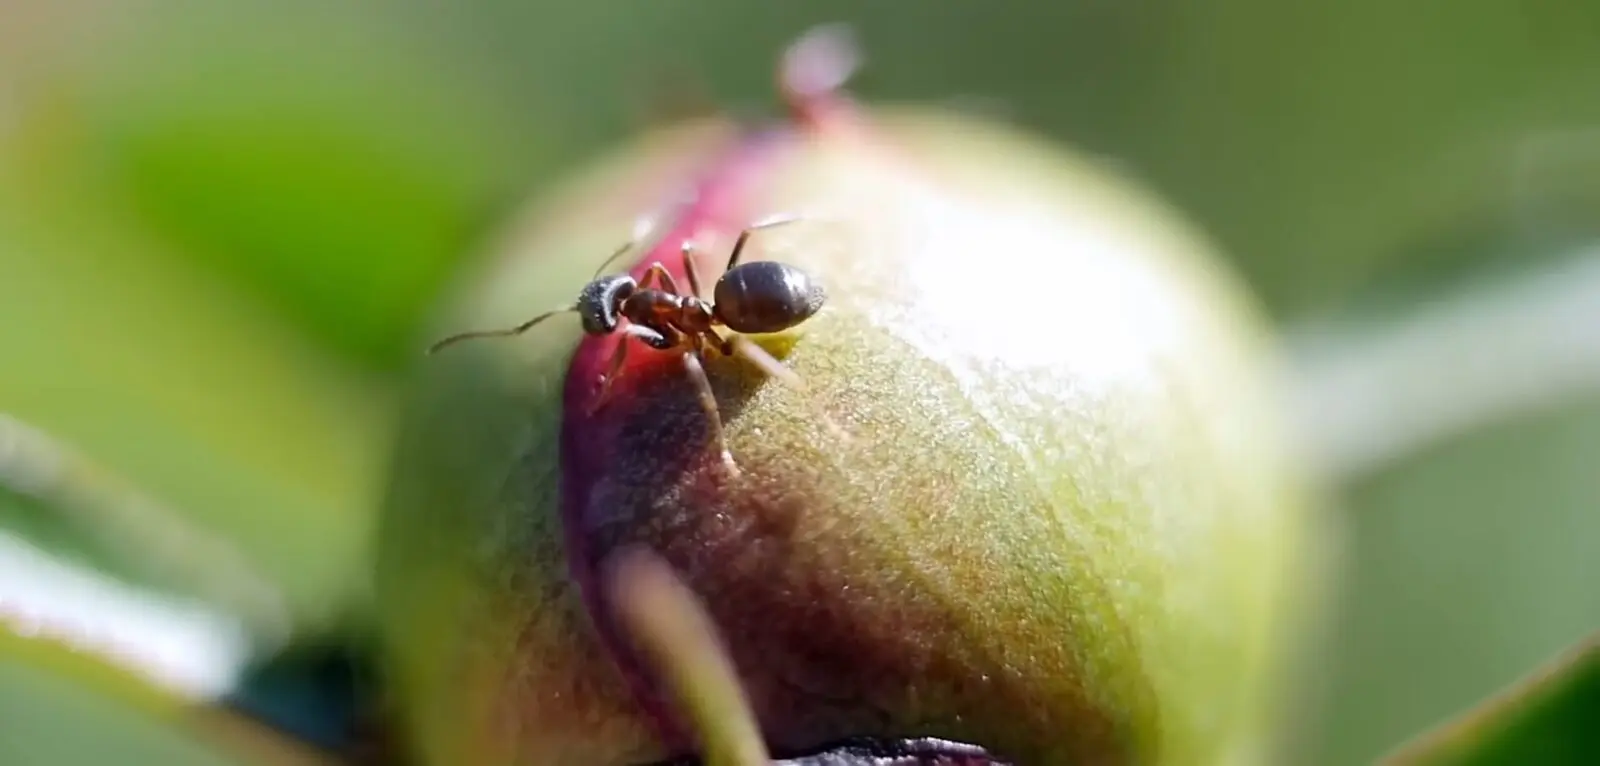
column 1546, row 719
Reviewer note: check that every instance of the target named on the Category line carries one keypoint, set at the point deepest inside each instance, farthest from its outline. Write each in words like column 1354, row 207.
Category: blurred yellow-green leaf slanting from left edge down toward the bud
column 182, row 385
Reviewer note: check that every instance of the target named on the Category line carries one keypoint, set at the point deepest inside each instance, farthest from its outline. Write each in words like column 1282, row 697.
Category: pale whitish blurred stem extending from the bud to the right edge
column 1374, row 394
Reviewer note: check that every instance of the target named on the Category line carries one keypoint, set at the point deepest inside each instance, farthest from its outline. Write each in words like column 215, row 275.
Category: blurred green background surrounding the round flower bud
column 223, row 226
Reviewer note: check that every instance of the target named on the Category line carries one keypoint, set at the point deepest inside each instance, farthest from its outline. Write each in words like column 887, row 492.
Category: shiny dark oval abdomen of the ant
column 766, row 297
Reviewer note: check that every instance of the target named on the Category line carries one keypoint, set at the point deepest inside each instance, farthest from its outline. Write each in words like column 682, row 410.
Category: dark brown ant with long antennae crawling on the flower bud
column 759, row 297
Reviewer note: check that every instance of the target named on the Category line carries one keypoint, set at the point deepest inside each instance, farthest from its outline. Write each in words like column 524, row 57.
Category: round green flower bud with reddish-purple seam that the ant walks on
column 1066, row 525
